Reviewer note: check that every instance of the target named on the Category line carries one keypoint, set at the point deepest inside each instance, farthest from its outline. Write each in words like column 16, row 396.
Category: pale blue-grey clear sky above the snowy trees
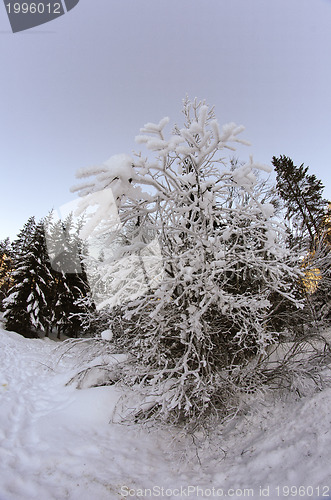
column 77, row 90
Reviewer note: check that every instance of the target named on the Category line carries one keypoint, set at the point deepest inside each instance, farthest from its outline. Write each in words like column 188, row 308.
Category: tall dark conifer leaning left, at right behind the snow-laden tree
column 307, row 213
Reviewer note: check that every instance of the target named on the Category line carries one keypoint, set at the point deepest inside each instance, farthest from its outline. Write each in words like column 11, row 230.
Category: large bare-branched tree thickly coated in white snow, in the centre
column 194, row 330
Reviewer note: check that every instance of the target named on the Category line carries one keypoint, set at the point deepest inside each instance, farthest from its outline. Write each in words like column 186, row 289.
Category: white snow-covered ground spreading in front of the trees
column 56, row 442
